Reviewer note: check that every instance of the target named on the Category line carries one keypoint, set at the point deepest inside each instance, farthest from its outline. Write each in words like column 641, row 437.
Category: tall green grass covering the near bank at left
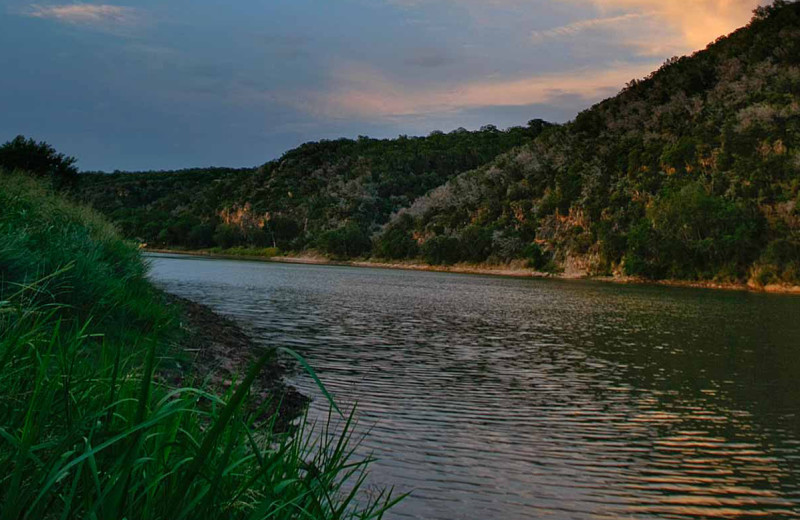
column 89, row 425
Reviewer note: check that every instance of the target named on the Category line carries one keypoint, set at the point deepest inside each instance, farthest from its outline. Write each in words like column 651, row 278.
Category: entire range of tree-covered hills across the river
column 692, row 173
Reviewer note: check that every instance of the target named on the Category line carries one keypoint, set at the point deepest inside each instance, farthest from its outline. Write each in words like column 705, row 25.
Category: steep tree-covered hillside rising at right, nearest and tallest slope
column 691, row 173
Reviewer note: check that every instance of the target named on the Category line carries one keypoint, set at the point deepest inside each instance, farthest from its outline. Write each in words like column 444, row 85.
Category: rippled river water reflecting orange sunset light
column 495, row 398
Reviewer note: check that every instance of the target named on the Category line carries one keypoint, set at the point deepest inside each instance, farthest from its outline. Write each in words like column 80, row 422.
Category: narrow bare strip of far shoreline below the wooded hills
column 514, row 270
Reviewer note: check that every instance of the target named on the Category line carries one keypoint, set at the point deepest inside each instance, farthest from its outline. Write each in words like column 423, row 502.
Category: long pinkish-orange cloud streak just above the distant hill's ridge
column 363, row 92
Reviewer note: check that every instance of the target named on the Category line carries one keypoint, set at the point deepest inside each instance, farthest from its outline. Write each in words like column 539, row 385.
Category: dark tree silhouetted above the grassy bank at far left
column 39, row 159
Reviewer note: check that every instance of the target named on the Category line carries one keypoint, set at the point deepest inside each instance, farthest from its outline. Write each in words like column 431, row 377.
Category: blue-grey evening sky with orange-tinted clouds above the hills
column 163, row 84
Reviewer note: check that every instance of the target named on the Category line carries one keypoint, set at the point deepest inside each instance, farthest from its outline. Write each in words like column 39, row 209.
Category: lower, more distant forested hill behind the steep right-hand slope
column 328, row 195
